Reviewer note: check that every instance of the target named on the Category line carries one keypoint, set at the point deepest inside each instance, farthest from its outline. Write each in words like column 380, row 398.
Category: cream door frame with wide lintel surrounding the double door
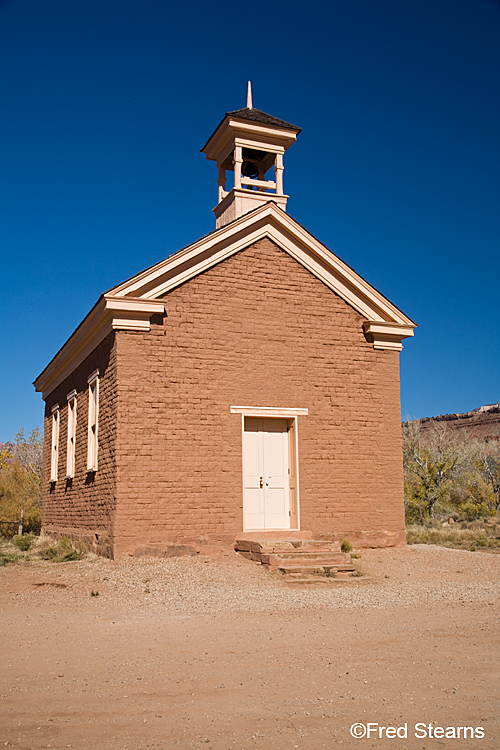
column 291, row 414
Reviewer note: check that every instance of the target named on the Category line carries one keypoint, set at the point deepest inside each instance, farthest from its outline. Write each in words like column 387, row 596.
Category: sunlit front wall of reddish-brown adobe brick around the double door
column 257, row 329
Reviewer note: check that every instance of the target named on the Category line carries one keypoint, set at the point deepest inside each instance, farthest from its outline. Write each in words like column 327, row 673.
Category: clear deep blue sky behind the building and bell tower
column 106, row 104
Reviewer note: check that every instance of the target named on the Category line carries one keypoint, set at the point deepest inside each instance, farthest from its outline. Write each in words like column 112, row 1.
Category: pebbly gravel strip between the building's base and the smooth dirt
column 415, row 576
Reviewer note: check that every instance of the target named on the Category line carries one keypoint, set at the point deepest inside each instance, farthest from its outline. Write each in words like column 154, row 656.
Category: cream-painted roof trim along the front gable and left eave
column 130, row 305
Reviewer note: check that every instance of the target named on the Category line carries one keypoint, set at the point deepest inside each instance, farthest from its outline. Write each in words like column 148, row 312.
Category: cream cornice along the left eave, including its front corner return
column 109, row 314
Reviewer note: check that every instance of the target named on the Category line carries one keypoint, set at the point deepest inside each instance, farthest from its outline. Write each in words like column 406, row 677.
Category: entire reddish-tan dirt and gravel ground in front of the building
column 214, row 652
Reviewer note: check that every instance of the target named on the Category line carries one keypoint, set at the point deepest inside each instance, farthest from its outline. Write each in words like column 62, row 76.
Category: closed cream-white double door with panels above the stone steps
column 266, row 494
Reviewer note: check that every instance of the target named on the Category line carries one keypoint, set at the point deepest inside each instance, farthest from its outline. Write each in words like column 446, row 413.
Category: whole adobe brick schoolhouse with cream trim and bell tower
column 248, row 384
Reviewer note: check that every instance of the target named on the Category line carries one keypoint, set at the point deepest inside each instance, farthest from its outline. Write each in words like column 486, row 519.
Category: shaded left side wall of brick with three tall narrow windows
column 83, row 508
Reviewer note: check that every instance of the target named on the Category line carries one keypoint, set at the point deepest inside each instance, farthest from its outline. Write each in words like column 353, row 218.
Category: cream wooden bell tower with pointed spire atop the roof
column 249, row 143
